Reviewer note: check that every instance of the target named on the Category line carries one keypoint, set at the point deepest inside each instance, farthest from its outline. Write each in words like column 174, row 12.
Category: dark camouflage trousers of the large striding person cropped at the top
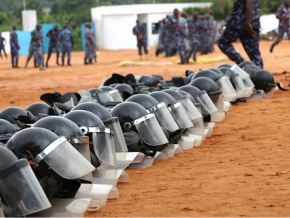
column 250, row 44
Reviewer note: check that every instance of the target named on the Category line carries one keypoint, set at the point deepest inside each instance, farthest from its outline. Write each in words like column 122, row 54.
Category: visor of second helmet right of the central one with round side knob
column 180, row 116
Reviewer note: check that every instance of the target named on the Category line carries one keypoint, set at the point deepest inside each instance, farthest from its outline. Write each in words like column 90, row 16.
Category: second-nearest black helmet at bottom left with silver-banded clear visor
column 39, row 145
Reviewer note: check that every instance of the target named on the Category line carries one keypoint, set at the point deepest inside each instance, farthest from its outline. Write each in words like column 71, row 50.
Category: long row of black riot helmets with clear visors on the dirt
column 49, row 149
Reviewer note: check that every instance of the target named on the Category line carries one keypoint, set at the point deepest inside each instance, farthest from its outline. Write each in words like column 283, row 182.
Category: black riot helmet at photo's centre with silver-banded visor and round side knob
column 134, row 117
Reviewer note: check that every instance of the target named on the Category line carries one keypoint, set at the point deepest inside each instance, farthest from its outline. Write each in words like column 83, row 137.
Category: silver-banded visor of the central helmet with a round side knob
column 150, row 131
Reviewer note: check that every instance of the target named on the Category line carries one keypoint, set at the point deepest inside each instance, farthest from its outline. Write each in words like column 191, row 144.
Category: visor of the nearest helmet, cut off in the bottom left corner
column 21, row 189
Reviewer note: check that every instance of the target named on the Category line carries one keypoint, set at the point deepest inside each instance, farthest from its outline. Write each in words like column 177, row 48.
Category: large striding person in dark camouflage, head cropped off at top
column 243, row 23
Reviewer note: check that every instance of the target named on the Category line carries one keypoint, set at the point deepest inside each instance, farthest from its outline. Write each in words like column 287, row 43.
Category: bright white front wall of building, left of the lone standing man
column 117, row 32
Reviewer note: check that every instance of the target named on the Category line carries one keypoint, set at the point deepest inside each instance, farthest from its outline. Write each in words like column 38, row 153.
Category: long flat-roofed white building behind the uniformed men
column 114, row 24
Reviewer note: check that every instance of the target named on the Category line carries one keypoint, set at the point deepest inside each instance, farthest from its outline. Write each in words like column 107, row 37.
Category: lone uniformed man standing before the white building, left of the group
column 139, row 31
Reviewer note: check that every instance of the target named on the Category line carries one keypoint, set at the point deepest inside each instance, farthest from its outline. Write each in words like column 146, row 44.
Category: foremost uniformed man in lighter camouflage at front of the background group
column 185, row 42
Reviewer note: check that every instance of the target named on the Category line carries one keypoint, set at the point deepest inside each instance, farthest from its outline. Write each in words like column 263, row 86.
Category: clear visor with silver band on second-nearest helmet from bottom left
column 65, row 160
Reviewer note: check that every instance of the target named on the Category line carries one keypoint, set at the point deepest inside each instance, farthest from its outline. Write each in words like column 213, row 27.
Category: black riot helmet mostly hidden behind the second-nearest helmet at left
column 64, row 127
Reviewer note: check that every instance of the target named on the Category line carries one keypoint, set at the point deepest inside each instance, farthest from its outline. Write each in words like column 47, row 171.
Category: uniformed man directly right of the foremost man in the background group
column 195, row 25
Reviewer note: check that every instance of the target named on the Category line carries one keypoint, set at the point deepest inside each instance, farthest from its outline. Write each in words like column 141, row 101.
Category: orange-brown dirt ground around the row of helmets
column 243, row 170
